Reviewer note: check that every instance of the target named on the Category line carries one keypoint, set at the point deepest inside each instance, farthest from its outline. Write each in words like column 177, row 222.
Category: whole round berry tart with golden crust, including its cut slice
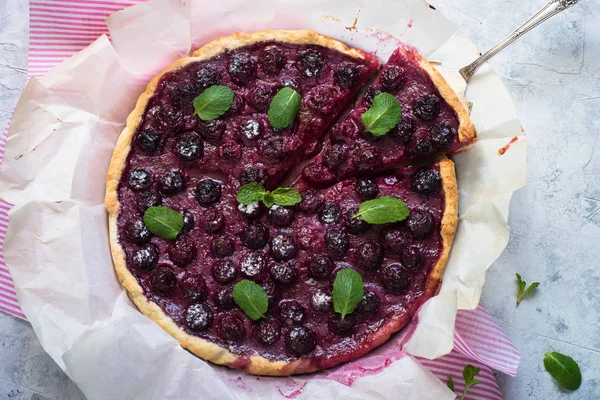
column 168, row 155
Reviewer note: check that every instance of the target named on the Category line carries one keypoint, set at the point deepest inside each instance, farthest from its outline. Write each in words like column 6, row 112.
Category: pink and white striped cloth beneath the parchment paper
column 60, row 28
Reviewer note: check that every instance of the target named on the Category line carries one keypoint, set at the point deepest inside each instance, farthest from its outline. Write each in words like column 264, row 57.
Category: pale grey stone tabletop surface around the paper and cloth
column 552, row 74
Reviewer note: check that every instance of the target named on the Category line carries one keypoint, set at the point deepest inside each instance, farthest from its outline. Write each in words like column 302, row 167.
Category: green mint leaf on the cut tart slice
column 383, row 116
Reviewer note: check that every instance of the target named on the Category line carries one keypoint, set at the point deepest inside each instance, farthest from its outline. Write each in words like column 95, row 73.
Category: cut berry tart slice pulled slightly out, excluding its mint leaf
column 433, row 122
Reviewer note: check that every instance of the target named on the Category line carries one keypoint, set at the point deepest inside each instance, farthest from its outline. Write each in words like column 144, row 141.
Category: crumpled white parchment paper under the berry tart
column 59, row 147
